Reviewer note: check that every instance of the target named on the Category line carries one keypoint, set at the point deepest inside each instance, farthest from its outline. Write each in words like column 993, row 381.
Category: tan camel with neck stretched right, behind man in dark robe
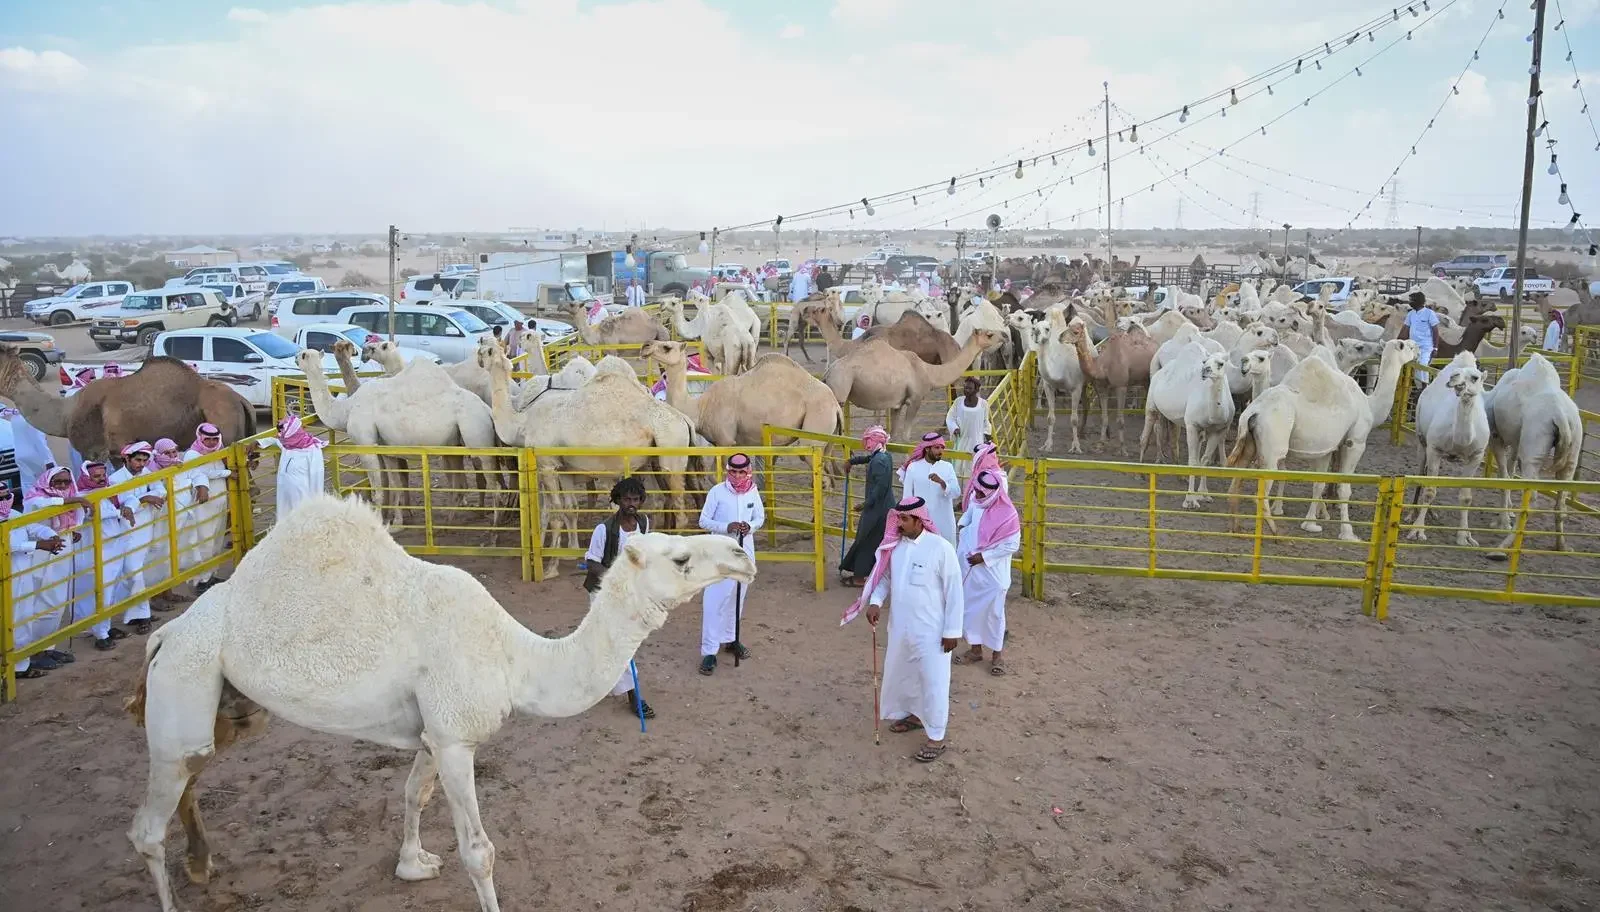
column 882, row 378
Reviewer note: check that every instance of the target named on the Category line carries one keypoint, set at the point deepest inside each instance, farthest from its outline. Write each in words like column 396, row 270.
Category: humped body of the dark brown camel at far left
column 166, row 398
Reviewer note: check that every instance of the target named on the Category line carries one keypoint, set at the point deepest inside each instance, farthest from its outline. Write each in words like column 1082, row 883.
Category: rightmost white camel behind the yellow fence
column 1532, row 422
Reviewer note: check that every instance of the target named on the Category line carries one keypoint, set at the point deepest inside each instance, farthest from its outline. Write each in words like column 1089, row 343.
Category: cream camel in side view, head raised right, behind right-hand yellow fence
column 1314, row 415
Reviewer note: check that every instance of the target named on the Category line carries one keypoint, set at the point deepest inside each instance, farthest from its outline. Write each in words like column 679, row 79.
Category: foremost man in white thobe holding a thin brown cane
column 921, row 578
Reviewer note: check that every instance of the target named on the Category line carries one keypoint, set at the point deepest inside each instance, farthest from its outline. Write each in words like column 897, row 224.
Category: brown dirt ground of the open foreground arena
column 1158, row 746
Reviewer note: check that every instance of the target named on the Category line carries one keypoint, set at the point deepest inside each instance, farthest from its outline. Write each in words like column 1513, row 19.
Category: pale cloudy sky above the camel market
column 442, row 116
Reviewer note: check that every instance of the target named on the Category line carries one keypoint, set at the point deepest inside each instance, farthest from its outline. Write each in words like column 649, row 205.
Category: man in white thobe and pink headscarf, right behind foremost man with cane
column 991, row 532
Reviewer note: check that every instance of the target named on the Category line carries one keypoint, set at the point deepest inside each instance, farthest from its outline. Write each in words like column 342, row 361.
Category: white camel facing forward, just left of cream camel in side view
column 1191, row 391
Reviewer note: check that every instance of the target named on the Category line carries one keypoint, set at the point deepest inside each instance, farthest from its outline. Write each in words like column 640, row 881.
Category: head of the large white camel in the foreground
column 663, row 570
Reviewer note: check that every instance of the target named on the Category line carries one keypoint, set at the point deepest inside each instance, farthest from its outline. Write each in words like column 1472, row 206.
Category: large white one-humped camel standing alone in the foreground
column 431, row 665
